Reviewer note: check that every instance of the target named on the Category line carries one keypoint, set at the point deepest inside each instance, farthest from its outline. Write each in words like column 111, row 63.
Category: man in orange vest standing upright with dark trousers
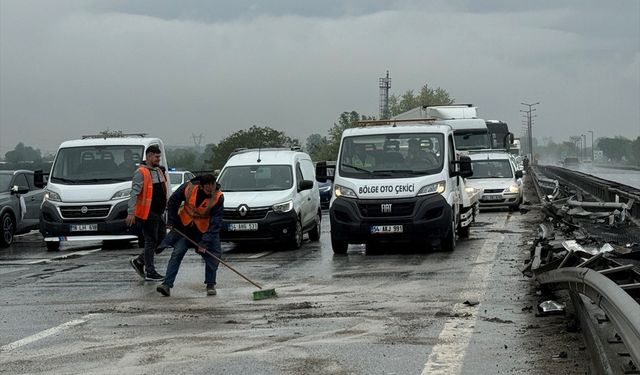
column 147, row 204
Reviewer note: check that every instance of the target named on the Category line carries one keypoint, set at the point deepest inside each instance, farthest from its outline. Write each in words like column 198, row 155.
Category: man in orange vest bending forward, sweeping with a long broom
column 200, row 218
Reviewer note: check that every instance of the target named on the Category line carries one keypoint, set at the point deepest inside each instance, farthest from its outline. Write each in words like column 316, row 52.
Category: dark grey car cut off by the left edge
column 20, row 202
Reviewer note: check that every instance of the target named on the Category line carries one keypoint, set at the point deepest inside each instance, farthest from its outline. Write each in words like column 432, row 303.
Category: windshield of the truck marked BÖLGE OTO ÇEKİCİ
column 392, row 155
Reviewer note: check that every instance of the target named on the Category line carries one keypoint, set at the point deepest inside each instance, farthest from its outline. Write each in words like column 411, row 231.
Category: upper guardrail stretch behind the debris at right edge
column 599, row 188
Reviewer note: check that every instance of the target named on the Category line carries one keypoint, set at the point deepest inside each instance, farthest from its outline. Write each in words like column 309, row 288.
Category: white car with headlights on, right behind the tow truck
column 497, row 179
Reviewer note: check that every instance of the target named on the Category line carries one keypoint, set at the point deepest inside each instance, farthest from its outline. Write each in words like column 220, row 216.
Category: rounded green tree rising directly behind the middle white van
column 254, row 137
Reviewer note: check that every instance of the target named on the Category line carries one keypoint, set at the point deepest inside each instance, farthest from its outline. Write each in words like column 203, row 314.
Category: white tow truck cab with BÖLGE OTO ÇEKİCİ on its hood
column 396, row 183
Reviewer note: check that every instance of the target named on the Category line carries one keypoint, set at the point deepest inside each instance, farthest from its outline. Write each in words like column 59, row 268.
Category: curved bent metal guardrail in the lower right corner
column 620, row 307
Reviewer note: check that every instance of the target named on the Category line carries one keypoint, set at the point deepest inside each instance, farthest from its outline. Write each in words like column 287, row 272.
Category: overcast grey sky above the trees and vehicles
column 176, row 68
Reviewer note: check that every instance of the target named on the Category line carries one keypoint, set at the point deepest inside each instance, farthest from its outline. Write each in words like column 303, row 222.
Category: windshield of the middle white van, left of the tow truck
column 256, row 178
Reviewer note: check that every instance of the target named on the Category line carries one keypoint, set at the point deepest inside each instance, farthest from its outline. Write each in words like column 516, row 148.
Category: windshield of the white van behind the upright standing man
column 96, row 164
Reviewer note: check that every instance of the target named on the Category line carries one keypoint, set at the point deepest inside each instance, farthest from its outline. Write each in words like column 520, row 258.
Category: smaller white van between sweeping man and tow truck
column 270, row 194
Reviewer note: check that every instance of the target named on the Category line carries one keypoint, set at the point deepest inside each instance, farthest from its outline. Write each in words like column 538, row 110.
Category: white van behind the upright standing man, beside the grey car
column 89, row 187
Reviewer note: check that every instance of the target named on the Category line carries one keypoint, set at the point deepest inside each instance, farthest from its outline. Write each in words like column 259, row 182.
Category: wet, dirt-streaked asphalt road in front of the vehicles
column 396, row 311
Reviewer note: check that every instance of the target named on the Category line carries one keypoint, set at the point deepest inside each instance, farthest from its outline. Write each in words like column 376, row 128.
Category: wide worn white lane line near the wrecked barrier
column 446, row 358
